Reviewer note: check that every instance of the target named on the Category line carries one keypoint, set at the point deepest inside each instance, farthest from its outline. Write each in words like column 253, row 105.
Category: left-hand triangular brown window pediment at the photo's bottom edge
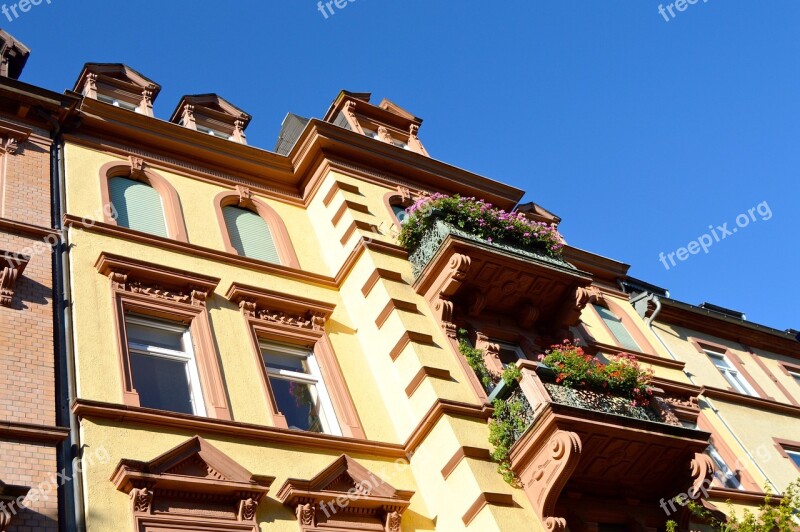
column 194, row 483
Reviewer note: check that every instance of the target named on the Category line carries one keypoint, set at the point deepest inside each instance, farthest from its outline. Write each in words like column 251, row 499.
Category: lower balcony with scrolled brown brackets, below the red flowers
column 585, row 458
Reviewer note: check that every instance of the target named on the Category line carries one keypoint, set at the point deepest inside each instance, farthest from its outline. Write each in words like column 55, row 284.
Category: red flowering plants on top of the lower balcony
column 621, row 377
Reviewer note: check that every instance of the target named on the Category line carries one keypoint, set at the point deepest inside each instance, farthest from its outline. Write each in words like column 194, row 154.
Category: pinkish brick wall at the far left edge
column 27, row 358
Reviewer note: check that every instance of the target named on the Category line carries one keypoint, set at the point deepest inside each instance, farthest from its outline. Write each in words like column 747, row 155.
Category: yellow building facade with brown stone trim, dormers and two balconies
column 252, row 349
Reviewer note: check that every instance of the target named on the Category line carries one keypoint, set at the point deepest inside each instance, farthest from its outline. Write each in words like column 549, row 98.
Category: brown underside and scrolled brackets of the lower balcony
column 576, row 464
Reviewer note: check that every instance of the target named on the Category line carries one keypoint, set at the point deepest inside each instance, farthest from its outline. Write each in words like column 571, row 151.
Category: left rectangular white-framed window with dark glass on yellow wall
column 163, row 366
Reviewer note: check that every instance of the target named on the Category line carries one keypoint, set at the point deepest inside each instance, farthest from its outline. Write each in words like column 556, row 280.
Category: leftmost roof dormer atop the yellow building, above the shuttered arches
column 118, row 85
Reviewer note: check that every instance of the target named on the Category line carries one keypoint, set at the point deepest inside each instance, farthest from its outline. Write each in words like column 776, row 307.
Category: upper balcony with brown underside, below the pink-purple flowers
column 461, row 274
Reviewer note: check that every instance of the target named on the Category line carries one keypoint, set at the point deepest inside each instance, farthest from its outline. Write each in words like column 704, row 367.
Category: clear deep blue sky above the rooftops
column 640, row 133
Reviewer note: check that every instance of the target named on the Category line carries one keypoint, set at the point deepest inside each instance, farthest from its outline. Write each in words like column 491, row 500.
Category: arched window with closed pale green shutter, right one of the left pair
column 251, row 228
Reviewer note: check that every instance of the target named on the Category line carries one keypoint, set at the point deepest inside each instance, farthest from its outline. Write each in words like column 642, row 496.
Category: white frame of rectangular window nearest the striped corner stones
column 330, row 424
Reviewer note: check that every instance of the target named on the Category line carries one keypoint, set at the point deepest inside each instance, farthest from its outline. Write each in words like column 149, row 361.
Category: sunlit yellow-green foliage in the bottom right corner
column 769, row 517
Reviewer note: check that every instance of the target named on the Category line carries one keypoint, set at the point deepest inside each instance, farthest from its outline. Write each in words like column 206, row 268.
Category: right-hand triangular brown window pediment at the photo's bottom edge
column 345, row 495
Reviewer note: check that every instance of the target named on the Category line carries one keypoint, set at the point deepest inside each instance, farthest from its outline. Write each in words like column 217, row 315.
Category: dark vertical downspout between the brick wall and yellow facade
column 72, row 491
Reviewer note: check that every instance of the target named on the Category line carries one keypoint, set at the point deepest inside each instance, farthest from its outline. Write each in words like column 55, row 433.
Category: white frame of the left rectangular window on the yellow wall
column 187, row 356
